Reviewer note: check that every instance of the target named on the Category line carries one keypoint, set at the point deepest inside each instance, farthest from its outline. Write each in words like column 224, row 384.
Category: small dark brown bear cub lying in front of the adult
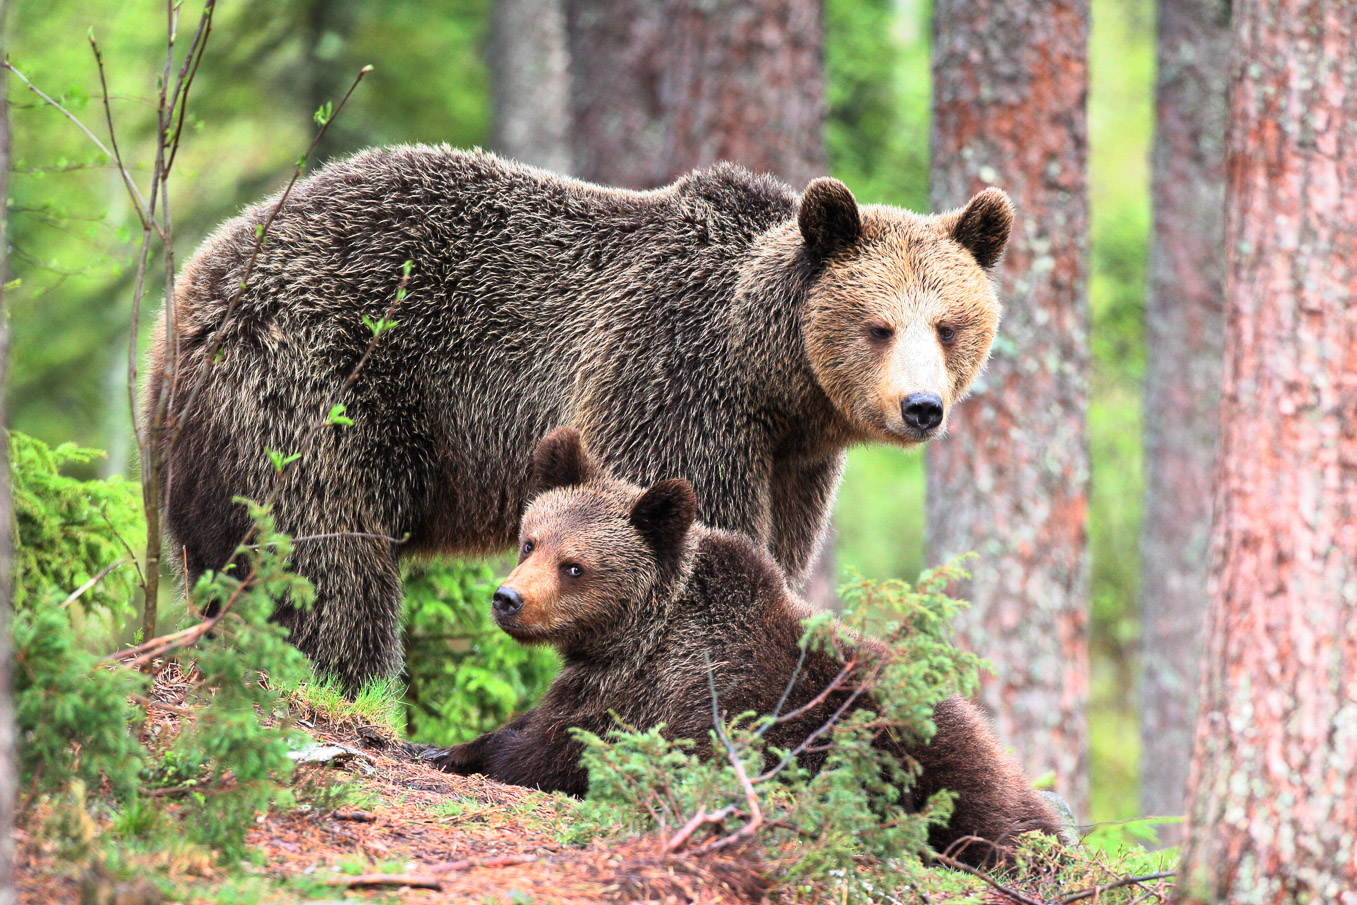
column 633, row 595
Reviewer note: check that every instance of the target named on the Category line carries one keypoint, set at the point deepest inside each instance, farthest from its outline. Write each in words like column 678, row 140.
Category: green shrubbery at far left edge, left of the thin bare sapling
column 73, row 713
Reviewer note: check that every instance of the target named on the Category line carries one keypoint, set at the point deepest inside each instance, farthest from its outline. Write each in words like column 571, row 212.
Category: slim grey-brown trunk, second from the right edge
column 1184, row 343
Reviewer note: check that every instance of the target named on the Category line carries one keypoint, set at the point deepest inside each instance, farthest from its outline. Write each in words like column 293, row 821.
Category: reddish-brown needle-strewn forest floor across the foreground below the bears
column 382, row 827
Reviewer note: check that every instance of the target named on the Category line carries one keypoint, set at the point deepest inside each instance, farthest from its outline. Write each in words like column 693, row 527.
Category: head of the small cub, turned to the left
column 591, row 550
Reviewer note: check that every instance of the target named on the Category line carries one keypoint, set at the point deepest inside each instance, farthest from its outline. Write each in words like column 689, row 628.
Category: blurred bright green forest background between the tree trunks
column 272, row 64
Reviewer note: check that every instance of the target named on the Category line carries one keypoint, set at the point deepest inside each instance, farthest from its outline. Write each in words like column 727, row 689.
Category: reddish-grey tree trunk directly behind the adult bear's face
column 1012, row 480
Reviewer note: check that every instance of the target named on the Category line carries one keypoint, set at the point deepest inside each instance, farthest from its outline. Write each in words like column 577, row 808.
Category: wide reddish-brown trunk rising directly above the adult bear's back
column 660, row 89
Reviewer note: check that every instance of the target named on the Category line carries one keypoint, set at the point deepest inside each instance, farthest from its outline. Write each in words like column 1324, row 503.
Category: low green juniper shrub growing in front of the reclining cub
column 818, row 828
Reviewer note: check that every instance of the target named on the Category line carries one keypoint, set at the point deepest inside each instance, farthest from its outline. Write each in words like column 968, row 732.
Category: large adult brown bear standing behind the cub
column 723, row 330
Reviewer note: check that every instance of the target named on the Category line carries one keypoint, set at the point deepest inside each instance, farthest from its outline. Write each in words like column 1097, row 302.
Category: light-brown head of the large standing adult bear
column 902, row 314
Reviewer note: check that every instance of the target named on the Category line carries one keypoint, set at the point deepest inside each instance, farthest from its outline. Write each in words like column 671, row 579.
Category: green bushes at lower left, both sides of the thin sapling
column 75, row 714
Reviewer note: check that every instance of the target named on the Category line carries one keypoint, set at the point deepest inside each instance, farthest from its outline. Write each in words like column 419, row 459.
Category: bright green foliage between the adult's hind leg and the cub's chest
column 465, row 675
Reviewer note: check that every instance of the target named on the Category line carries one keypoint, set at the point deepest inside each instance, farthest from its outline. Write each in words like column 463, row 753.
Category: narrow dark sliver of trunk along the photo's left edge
column 9, row 766
